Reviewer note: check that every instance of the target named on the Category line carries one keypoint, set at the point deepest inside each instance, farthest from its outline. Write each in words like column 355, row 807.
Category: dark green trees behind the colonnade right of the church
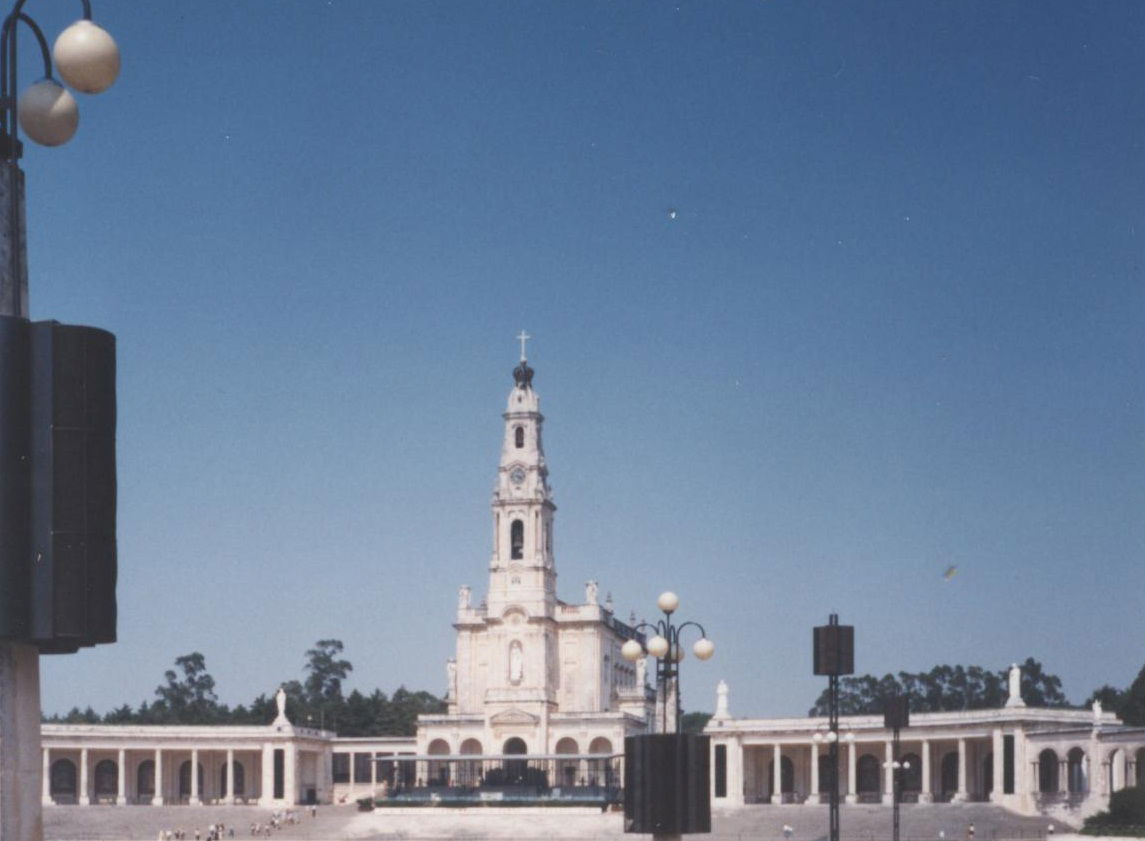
column 954, row 688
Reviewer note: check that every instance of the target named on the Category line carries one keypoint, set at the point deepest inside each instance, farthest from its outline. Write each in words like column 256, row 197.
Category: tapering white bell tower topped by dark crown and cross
column 522, row 572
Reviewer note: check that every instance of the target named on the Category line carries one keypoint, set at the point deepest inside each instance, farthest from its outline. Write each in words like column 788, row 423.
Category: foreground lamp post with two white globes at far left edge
column 88, row 59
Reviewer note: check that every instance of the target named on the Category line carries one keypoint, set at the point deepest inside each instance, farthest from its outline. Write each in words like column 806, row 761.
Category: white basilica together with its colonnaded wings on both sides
column 544, row 680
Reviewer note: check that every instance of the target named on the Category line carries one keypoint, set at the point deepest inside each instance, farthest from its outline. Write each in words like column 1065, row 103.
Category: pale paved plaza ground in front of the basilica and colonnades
column 345, row 823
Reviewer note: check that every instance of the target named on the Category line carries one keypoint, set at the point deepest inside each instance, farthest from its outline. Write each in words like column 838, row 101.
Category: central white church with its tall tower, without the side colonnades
column 533, row 674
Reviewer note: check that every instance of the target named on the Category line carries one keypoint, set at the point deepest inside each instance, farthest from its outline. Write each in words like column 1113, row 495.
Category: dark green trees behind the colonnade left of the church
column 188, row 697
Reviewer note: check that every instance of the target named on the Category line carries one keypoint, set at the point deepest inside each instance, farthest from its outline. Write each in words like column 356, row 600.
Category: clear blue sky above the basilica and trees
column 896, row 325
